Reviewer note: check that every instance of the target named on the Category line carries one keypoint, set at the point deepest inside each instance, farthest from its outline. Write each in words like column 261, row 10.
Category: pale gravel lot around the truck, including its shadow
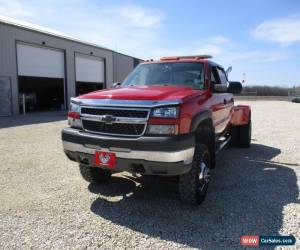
column 44, row 203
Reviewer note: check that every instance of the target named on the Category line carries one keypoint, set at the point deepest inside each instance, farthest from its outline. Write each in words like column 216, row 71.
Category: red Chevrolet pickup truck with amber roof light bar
column 168, row 118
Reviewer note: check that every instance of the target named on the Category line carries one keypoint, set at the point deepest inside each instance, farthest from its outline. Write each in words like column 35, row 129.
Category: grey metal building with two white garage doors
column 47, row 68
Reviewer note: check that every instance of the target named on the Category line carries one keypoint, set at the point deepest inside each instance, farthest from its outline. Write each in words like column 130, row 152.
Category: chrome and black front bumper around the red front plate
column 147, row 155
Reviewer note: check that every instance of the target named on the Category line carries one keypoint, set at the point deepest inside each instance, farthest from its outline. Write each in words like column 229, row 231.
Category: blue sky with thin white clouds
column 259, row 39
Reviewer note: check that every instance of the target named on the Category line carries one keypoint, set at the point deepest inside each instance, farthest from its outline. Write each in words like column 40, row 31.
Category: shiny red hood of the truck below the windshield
column 144, row 93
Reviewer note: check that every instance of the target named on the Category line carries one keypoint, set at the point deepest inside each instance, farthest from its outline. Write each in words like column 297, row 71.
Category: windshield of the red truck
column 190, row 74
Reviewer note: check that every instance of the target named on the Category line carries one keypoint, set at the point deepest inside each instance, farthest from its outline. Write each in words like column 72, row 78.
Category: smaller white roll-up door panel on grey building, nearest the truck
column 89, row 68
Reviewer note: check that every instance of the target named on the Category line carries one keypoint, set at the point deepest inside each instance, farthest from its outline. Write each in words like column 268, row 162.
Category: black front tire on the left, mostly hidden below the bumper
column 93, row 174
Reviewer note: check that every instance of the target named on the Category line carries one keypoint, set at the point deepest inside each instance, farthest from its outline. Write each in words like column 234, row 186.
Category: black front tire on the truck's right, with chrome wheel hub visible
column 193, row 189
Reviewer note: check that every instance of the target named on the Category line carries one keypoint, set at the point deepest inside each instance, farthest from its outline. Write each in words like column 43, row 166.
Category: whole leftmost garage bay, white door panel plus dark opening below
column 41, row 78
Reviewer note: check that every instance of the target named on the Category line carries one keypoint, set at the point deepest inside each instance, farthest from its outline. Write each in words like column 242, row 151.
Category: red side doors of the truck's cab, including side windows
column 222, row 101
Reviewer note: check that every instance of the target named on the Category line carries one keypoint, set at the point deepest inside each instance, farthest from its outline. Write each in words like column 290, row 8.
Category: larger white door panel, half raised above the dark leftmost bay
column 40, row 62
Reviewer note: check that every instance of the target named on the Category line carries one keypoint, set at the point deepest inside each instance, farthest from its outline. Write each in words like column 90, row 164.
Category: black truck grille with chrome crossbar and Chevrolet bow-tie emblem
column 122, row 121
